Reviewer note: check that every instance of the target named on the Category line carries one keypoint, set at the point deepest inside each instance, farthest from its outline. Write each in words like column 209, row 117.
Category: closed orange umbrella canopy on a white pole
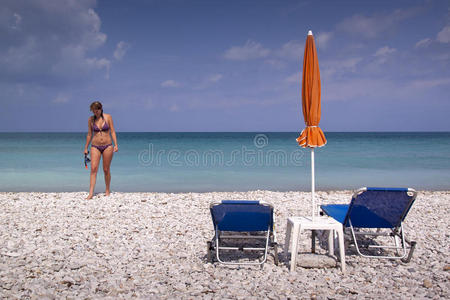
column 312, row 136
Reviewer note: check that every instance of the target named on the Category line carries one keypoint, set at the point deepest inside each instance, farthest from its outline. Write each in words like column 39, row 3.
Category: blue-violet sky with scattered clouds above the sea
column 231, row 65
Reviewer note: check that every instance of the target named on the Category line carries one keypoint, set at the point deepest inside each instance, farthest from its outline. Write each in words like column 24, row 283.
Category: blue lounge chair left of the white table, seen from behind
column 246, row 221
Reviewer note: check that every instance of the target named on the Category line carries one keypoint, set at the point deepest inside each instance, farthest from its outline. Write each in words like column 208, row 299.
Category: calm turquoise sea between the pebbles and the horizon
column 178, row 162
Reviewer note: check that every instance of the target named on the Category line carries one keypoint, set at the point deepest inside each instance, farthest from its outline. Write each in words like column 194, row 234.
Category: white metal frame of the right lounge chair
column 400, row 242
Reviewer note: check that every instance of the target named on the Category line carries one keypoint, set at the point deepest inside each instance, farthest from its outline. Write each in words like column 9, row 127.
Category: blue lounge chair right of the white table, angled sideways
column 381, row 208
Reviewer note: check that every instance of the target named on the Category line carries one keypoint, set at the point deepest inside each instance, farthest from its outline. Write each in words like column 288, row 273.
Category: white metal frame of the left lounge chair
column 268, row 236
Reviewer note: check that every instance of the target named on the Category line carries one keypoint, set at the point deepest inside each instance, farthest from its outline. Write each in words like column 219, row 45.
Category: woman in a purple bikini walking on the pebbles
column 103, row 128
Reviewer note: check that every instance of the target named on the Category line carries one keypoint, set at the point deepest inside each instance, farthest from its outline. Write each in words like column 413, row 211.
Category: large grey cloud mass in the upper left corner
column 58, row 47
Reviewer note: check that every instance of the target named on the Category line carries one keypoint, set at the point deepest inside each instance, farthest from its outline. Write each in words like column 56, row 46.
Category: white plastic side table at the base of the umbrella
column 320, row 223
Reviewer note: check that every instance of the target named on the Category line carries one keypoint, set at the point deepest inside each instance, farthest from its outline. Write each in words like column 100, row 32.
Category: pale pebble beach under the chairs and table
column 153, row 246
